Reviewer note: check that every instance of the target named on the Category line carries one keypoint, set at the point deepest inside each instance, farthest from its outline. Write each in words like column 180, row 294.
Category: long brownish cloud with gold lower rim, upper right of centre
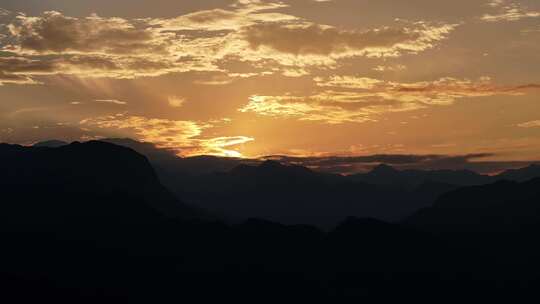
column 320, row 40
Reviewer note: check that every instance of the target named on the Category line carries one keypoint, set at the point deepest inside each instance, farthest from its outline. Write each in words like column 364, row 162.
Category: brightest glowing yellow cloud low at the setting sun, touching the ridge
column 184, row 137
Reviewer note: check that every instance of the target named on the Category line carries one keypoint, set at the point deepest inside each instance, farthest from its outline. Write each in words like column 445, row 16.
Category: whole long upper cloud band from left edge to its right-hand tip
column 252, row 32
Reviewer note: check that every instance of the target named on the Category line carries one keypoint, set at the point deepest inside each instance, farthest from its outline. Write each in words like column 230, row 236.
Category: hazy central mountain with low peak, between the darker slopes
column 297, row 195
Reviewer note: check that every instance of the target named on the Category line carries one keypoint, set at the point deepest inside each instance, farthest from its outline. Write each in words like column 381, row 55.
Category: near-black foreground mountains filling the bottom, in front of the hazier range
column 91, row 223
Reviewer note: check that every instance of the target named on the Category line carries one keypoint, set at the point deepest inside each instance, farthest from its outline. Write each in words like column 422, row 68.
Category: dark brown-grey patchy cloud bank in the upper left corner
column 93, row 46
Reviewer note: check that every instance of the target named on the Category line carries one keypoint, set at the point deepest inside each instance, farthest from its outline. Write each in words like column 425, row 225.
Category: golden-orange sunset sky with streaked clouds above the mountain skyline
column 299, row 78
